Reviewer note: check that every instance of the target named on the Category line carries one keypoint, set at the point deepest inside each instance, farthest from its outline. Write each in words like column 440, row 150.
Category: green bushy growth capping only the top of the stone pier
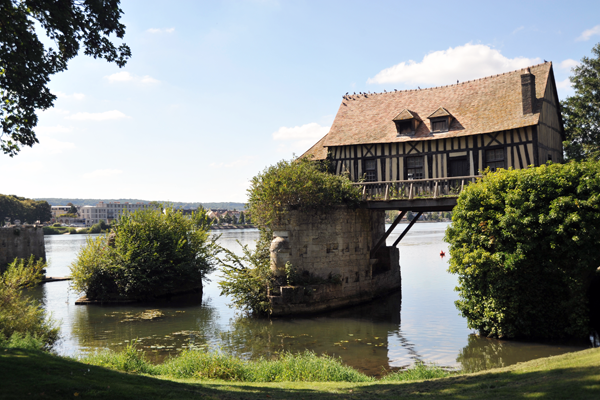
column 297, row 184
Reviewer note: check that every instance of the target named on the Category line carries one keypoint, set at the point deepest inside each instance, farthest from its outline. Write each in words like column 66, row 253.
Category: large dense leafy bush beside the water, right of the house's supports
column 525, row 247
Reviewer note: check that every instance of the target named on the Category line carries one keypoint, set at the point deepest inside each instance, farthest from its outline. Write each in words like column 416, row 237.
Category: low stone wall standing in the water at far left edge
column 21, row 241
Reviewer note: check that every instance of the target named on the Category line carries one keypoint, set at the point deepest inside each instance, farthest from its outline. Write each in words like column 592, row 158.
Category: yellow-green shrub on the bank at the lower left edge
column 20, row 316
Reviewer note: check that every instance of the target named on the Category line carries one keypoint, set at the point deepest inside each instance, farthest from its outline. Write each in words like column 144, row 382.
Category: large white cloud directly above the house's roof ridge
column 444, row 67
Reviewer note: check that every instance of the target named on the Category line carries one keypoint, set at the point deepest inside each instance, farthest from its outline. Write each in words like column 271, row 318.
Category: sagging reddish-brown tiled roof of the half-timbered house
column 484, row 105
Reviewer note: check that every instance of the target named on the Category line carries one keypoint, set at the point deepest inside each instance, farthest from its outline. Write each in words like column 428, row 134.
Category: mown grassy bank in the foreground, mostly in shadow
column 33, row 374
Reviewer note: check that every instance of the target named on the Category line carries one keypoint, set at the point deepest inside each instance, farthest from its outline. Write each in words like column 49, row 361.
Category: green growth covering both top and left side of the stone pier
column 297, row 184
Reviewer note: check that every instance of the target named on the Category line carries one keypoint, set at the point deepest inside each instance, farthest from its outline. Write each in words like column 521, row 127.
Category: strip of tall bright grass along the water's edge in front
column 288, row 367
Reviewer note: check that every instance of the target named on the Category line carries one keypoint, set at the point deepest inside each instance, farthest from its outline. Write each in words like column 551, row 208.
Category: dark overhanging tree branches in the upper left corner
column 26, row 64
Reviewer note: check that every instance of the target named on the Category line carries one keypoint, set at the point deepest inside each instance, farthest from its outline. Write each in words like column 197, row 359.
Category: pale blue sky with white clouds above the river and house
column 216, row 91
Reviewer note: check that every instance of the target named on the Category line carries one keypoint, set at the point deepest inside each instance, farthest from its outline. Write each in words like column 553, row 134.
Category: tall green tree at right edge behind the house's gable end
column 581, row 112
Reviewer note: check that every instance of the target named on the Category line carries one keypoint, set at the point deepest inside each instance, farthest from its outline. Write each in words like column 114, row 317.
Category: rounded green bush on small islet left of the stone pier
column 150, row 252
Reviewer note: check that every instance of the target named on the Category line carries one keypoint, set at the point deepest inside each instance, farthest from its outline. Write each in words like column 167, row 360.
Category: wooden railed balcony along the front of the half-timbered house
column 437, row 194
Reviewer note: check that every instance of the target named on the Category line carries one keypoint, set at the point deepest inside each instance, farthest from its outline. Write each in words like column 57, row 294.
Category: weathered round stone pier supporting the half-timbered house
column 333, row 245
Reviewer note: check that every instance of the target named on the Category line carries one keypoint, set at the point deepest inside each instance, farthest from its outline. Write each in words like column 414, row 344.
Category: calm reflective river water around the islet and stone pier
column 419, row 324
